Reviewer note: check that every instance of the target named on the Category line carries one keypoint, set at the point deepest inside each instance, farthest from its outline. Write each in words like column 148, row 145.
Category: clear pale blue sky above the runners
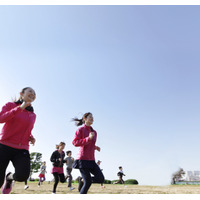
column 136, row 68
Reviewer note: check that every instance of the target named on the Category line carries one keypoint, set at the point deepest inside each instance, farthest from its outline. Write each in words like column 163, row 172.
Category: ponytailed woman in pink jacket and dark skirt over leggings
column 85, row 138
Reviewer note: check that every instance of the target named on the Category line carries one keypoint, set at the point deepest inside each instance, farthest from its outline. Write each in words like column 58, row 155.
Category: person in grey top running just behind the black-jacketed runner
column 69, row 161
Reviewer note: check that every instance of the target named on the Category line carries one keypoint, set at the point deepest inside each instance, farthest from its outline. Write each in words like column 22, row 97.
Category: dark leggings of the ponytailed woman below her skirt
column 88, row 180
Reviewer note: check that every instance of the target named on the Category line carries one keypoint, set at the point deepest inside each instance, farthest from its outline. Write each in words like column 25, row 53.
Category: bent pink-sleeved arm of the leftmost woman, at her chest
column 8, row 112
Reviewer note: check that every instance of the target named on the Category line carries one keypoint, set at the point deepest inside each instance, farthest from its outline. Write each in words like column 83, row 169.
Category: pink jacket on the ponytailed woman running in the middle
column 87, row 147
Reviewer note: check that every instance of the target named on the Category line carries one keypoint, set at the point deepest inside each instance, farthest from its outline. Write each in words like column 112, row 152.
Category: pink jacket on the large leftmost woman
column 18, row 125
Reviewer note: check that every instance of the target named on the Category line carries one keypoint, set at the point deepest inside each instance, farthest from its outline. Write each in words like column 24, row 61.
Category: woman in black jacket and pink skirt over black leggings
column 57, row 158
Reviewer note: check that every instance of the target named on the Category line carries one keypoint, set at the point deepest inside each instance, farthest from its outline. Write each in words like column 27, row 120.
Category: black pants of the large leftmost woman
column 20, row 159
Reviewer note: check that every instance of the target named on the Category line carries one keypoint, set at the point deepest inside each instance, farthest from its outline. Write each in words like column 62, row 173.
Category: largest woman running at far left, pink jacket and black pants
column 18, row 118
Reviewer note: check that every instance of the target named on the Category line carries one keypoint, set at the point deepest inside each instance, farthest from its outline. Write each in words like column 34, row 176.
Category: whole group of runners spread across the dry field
column 19, row 119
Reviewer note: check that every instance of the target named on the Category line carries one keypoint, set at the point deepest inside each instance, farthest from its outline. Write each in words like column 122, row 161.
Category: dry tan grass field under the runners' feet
column 46, row 188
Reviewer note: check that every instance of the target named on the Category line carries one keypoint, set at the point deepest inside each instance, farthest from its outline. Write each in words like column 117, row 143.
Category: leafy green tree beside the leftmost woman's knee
column 35, row 162
